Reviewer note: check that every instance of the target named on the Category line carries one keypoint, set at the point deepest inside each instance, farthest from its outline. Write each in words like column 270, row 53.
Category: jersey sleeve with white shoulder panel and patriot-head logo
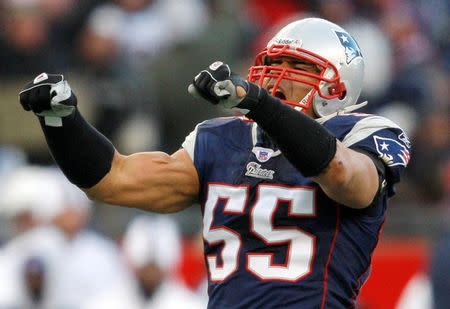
column 386, row 140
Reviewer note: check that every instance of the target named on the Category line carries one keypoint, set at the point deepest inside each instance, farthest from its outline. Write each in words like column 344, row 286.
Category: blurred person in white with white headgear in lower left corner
column 77, row 267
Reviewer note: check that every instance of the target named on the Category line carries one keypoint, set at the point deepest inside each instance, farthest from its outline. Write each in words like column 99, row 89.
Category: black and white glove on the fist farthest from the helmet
column 50, row 96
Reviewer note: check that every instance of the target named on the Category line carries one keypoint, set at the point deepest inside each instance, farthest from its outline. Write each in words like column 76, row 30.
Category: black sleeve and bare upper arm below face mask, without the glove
column 344, row 175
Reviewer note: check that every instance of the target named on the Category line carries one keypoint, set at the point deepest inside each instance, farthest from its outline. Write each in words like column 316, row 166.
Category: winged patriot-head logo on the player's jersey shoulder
column 391, row 151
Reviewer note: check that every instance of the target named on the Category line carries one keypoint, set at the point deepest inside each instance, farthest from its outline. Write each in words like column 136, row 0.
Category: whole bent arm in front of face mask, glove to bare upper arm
column 346, row 176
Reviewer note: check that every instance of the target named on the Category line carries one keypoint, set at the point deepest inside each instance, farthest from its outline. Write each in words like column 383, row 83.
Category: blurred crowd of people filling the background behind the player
column 130, row 62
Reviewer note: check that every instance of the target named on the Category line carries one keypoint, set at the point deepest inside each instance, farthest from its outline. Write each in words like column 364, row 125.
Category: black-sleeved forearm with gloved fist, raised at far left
column 82, row 153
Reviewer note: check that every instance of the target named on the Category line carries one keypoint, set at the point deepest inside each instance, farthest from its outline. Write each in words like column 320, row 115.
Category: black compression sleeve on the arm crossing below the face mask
column 304, row 142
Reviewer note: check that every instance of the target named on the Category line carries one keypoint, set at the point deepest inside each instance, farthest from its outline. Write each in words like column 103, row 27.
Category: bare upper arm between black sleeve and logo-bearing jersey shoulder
column 350, row 179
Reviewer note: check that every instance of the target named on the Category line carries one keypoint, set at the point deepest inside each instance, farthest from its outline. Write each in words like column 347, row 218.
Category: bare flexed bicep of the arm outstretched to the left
column 153, row 181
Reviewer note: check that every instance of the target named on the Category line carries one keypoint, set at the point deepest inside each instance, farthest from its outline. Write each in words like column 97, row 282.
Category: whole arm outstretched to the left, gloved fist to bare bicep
column 151, row 181
